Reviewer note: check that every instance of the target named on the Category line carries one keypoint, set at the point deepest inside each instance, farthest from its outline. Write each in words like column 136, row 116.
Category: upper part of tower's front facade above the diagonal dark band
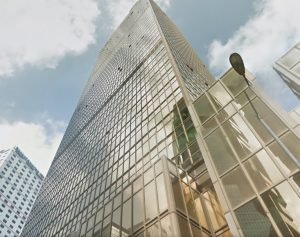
column 125, row 52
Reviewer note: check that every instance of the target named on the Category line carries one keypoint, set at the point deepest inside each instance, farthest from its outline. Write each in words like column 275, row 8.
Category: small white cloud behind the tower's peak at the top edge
column 118, row 9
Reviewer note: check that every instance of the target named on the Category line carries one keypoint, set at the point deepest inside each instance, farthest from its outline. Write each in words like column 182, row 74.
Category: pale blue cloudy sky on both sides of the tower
column 48, row 49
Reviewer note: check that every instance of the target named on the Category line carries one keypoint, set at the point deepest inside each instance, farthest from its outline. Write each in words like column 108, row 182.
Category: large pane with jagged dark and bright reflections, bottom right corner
column 284, row 206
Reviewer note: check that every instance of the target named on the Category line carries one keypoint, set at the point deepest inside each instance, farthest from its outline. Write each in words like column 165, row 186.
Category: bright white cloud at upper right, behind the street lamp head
column 261, row 41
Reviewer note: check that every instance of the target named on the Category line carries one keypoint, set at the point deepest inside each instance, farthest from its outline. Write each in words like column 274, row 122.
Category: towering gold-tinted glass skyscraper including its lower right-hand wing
column 156, row 147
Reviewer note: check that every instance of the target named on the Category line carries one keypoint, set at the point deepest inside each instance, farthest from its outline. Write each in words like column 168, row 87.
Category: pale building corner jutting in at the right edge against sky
column 288, row 67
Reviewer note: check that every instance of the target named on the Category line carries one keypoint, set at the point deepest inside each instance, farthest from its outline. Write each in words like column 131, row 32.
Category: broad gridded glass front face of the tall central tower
column 110, row 176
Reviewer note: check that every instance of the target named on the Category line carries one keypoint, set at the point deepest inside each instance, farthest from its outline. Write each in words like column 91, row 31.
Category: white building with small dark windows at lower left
column 20, row 182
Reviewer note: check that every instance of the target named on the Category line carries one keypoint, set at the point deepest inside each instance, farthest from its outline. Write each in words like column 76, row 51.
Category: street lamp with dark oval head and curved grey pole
column 237, row 64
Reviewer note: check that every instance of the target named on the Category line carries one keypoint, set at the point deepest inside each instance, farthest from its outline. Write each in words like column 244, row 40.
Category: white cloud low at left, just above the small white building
column 33, row 139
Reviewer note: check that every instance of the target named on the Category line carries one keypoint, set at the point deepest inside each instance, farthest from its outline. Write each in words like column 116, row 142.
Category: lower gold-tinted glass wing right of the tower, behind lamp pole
column 260, row 182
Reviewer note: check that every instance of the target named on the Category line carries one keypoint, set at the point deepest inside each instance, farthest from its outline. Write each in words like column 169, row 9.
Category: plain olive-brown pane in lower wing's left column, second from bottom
column 237, row 187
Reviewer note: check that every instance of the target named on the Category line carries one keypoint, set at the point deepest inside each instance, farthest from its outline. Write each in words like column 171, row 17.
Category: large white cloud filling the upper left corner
column 41, row 32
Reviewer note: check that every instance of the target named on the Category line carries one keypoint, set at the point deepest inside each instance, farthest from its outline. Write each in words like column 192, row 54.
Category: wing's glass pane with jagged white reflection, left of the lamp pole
column 240, row 136
